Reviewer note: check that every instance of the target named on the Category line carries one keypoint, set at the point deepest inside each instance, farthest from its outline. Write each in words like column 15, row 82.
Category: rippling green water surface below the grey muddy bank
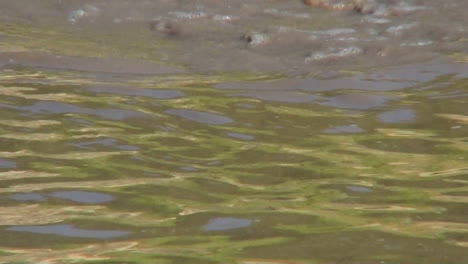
column 216, row 168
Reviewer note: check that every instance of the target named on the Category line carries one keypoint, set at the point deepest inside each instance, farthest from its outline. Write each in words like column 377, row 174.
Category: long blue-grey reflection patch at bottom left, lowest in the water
column 69, row 231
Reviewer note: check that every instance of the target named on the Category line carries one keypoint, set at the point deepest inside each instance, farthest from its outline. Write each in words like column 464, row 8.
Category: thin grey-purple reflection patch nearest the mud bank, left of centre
column 133, row 91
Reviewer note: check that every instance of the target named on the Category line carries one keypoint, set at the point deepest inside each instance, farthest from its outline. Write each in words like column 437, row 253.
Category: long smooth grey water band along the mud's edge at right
column 397, row 78
